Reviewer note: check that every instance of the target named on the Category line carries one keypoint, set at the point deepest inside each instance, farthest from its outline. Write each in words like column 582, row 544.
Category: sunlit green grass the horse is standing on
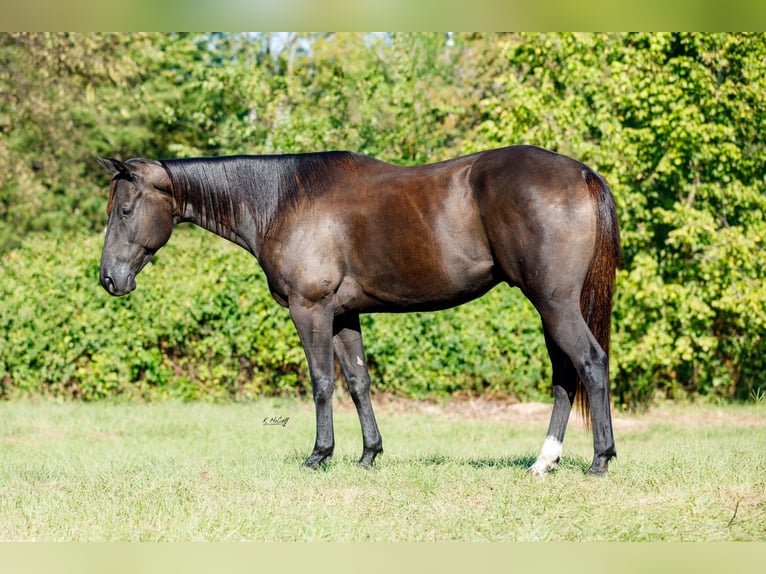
column 186, row 472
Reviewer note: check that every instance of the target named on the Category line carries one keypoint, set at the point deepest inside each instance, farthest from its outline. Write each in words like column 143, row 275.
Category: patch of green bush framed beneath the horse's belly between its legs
column 493, row 346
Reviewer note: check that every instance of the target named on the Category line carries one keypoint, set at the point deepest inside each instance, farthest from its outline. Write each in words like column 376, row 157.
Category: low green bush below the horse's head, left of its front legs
column 205, row 332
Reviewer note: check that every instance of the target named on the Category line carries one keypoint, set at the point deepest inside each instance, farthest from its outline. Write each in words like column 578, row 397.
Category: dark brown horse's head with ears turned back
column 140, row 215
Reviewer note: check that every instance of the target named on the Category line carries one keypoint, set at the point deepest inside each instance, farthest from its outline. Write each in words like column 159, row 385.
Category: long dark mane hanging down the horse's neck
column 218, row 188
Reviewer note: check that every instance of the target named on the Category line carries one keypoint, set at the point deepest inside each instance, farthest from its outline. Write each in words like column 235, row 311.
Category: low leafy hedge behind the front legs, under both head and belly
column 202, row 325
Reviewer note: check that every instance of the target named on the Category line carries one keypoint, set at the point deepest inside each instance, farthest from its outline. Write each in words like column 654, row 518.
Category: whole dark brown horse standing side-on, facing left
column 339, row 234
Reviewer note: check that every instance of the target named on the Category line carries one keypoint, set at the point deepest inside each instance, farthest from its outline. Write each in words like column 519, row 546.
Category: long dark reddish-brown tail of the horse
column 597, row 291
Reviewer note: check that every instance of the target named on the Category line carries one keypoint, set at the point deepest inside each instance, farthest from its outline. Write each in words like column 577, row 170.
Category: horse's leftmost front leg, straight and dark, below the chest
column 314, row 322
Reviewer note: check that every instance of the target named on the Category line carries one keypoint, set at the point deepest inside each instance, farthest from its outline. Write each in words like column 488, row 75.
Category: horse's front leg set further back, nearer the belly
column 350, row 352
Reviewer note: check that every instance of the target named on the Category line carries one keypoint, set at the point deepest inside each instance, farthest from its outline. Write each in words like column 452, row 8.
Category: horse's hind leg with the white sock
column 564, row 389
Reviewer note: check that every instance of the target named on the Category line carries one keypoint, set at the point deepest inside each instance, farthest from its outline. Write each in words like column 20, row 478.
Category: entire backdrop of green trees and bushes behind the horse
column 675, row 121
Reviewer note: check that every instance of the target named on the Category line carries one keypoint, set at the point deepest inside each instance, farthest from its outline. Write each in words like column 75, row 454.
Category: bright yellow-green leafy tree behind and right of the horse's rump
column 675, row 122
